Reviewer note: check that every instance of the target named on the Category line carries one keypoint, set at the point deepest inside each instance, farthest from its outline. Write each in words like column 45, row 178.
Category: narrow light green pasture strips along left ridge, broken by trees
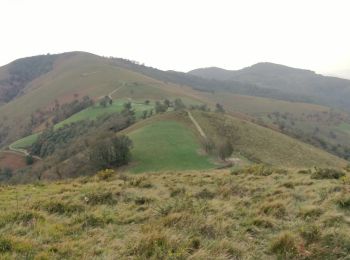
column 90, row 113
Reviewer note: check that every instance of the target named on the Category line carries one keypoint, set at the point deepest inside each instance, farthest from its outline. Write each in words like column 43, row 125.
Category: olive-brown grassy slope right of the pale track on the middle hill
column 261, row 144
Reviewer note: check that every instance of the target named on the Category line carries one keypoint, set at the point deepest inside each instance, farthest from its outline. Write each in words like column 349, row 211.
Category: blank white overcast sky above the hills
column 183, row 34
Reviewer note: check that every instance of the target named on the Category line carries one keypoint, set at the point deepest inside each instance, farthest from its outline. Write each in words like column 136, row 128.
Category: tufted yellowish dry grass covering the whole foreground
column 256, row 213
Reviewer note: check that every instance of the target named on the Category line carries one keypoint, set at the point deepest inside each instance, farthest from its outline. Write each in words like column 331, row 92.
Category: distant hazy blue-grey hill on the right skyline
column 321, row 89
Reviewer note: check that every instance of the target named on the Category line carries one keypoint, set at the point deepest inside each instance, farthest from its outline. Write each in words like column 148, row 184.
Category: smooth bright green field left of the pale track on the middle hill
column 166, row 145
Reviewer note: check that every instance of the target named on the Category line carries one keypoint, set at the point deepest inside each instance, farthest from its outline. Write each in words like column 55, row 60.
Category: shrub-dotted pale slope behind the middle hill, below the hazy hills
column 318, row 125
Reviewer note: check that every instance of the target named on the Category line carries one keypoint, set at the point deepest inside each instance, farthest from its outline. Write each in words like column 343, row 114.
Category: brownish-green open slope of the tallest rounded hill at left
column 79, row 74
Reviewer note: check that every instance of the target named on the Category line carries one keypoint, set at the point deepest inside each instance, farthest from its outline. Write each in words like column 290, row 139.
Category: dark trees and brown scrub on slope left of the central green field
column 78, row 149
